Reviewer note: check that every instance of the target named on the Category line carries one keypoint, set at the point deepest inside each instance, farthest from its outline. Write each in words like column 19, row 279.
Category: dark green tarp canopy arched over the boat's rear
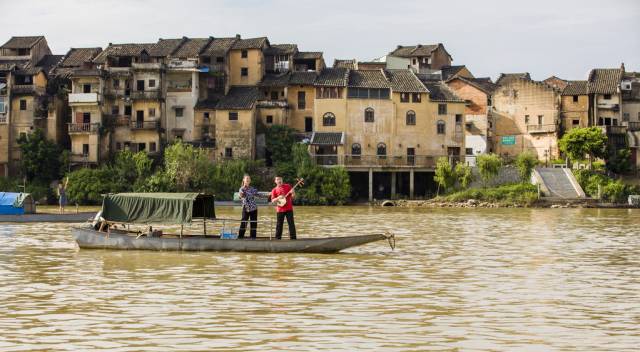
column 167, row 208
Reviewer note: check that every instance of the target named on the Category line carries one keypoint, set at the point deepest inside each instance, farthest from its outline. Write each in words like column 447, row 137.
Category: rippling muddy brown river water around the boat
column 459, row 279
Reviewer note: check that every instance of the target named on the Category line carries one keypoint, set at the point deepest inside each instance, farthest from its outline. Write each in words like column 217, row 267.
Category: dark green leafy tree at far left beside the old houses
column 40, row 157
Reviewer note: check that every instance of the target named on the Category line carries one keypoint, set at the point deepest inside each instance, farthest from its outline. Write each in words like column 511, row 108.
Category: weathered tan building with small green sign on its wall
column 526, row 117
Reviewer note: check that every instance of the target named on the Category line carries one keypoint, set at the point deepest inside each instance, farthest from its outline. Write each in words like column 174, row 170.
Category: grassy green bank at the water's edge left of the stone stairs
column 513, row 194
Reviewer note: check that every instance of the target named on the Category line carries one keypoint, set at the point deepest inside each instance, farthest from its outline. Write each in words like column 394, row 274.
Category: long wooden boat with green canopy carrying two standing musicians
column 183, row 208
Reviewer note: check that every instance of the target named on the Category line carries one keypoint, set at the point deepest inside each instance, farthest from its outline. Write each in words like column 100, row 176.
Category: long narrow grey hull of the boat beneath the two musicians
column 90, row 238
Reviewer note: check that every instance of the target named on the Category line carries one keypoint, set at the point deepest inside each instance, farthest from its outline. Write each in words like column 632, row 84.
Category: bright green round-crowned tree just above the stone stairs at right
column 579, row 142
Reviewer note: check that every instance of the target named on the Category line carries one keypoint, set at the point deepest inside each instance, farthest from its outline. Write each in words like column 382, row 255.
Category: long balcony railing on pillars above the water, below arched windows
column 422, row 161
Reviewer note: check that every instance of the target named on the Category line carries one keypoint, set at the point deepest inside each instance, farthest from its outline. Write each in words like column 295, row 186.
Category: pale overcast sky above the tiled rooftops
column 543, row 37
